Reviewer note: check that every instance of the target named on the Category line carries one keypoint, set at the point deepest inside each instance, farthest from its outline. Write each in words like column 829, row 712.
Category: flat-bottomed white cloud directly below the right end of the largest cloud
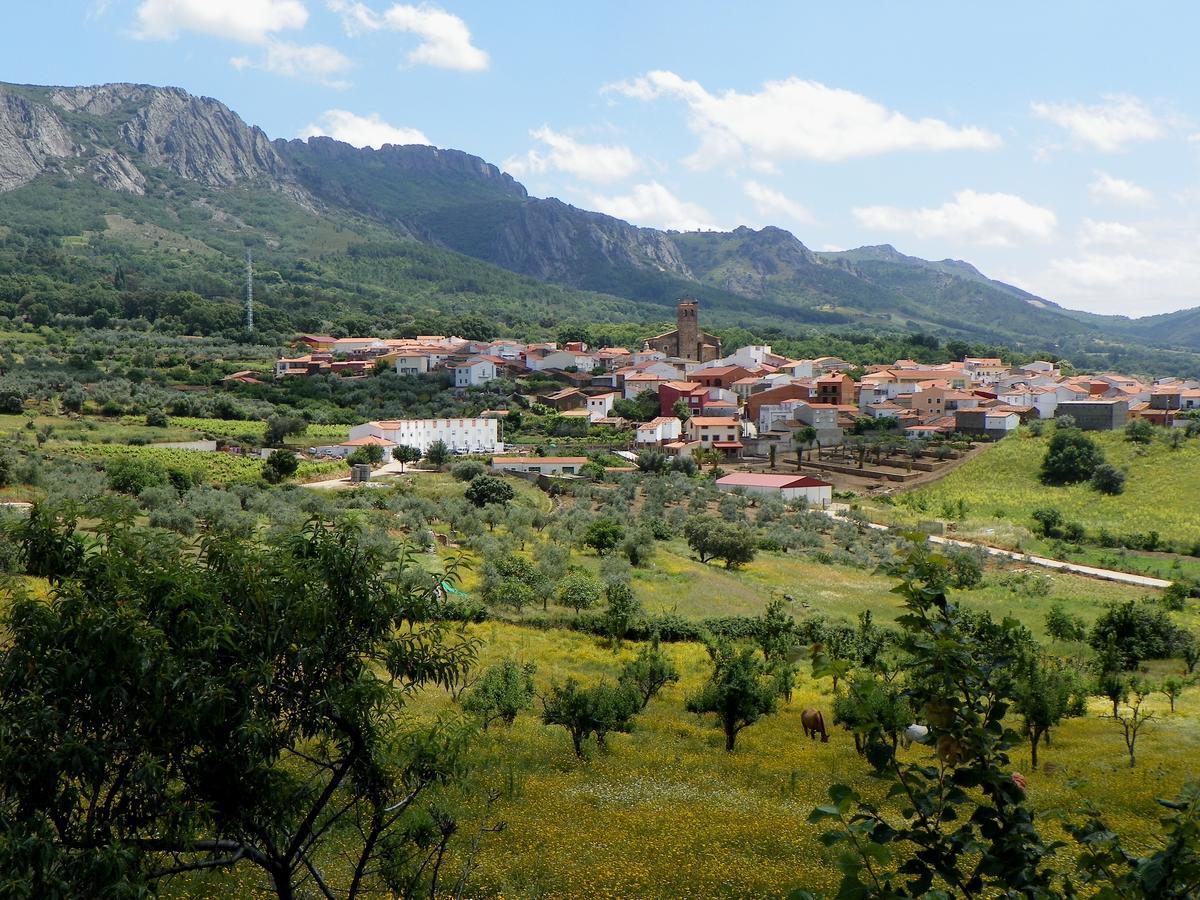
column 971, row 218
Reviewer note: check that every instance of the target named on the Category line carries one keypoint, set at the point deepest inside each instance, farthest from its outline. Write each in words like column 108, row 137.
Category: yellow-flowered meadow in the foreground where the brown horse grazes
column 665, row 812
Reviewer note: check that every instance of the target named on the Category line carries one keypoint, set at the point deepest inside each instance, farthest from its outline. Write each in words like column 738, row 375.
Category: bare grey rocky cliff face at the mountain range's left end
column 115, row 133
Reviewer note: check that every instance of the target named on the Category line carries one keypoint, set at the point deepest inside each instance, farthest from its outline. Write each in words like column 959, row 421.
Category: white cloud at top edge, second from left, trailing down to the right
column 446, row 39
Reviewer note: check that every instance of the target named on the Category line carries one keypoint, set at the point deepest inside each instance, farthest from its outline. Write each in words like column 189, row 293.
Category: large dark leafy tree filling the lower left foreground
column 247, row 733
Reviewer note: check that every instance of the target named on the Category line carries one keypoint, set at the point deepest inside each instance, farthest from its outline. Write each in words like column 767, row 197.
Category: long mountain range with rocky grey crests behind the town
column 140, row 143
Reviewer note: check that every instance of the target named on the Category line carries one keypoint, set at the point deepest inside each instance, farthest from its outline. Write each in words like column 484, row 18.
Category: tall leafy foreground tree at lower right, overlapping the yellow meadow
column 958, row 674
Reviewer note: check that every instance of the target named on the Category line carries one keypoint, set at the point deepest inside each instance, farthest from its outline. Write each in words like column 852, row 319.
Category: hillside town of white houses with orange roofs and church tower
column 749, row 403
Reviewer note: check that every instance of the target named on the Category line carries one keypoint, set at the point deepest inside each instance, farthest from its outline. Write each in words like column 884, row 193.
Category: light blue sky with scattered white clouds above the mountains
column 1055, row 146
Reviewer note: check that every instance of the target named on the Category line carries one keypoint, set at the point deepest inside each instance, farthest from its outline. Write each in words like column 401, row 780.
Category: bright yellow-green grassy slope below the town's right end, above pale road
column 1001, row 487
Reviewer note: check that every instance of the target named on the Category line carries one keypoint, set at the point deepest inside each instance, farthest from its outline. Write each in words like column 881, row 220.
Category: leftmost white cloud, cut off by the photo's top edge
column 247, row 21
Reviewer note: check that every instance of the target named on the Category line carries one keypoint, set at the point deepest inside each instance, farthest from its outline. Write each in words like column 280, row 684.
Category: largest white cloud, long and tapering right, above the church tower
column 796, row 119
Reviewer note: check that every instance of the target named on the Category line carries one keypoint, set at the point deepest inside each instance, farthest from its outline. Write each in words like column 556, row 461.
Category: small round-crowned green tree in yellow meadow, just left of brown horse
column 740, row 692
